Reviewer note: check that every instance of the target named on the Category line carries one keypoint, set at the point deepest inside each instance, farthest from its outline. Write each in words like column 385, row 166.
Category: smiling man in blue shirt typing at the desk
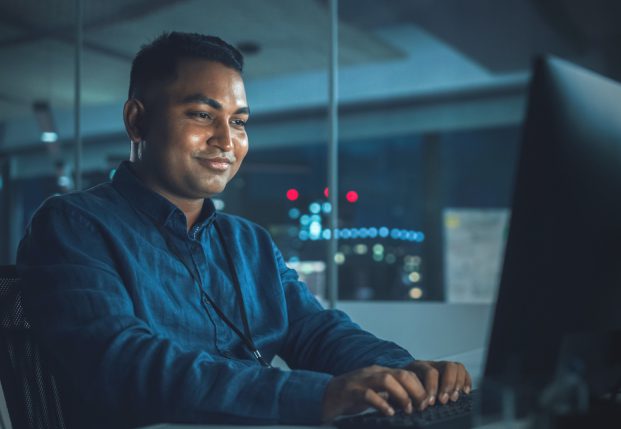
column 153, row 307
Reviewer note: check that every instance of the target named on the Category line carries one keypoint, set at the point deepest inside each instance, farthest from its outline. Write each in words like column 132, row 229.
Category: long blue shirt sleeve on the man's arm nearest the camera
column 124, row 374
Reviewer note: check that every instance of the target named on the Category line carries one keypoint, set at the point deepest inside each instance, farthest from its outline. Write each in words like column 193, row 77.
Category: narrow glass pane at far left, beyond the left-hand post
column 36, row 121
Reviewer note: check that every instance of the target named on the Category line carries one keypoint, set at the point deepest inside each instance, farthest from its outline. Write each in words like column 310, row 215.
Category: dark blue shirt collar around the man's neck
column 154, row 205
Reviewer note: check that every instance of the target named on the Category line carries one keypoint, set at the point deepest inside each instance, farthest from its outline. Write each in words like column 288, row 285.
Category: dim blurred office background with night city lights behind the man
column 432, row 98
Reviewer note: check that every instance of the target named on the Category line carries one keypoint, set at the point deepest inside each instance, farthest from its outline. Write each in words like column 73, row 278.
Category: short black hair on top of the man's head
column 157, row 61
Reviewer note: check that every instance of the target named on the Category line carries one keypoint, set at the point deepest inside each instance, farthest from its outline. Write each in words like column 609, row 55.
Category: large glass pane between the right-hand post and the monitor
column 430, row 131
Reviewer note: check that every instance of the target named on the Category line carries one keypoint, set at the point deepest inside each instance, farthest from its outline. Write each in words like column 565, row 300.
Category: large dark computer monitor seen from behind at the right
column 561, row 276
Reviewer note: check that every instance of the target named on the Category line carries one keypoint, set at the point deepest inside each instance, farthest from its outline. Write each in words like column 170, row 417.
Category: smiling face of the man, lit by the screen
column 194, row 136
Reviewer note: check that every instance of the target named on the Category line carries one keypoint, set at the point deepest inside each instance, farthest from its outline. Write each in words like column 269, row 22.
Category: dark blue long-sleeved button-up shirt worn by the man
column 131, row 336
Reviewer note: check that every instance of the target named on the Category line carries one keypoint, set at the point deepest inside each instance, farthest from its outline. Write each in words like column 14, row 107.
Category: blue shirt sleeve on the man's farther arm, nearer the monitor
column 328, row 340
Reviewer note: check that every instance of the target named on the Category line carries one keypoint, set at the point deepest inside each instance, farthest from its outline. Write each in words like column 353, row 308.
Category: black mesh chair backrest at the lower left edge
column 29, row 387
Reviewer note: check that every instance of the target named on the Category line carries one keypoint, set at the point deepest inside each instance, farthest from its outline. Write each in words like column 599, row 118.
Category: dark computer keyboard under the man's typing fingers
column 453, row 415
